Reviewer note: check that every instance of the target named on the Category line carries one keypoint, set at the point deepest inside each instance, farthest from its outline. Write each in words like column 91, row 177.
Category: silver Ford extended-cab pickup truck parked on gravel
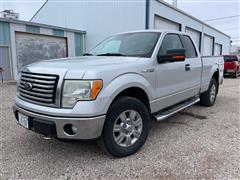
column 112, row 92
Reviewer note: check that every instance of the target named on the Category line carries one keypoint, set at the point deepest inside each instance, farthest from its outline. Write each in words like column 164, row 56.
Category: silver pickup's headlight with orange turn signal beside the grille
column 79, row 90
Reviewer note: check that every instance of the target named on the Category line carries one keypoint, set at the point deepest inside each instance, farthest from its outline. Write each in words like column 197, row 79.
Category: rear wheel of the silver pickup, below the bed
column 208, row 98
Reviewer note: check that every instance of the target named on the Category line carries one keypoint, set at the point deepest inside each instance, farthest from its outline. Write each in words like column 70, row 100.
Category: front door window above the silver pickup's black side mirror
column 170, row 41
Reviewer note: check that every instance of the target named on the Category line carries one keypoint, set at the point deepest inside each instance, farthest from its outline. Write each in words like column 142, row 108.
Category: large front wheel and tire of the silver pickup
column 126, row 139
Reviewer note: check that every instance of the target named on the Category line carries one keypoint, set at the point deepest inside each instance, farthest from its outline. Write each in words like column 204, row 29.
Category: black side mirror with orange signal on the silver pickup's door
column 173, row 55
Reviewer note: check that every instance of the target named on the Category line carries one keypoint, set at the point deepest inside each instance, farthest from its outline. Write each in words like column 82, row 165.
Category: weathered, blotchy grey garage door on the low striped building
column 33, row 47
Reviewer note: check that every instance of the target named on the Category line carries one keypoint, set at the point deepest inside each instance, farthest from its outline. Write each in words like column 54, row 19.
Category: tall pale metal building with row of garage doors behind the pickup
column 102, row 18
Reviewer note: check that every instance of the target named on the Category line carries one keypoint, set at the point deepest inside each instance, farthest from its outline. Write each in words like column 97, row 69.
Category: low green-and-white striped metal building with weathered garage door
column 23, row 42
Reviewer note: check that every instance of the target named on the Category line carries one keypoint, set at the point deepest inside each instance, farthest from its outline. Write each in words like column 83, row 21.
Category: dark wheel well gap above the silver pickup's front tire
column 137, row 93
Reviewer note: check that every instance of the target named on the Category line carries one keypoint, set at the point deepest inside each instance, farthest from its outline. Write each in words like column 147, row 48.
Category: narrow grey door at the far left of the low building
column 5, row 63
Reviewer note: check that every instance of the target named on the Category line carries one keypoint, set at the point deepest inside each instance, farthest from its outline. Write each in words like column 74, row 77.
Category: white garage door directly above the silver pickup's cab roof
column 161, row 23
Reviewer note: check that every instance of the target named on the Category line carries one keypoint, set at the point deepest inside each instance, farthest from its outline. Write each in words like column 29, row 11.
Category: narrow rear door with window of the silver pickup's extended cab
column 194, row 64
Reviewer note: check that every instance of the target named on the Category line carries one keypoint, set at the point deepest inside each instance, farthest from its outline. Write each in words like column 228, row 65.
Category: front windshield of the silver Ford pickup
column 139, row 44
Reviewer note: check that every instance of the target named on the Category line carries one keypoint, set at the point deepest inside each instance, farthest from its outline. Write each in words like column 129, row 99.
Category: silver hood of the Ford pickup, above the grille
column 79, row 65
